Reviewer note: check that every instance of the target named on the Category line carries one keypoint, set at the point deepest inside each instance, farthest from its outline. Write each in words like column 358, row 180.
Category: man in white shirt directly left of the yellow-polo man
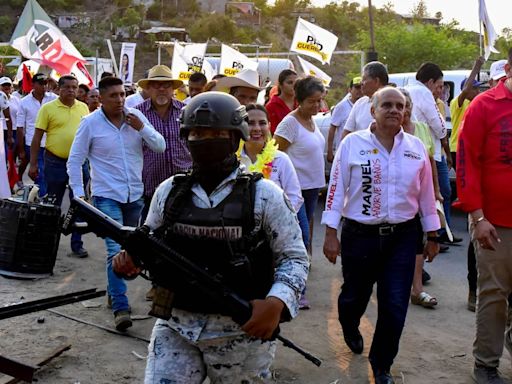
column 26, row 120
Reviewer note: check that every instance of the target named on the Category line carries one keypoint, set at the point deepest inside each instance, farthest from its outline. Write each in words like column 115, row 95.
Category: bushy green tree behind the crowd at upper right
column 404, row 47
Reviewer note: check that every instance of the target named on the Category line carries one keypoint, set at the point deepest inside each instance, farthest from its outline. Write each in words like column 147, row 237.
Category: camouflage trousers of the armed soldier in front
column 172, row 359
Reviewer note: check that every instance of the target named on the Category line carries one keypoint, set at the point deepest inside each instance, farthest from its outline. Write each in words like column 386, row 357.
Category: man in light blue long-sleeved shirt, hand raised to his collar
column 111, row 138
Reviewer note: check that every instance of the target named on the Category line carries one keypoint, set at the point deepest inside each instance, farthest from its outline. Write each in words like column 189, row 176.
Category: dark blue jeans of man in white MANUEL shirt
column 388, row 261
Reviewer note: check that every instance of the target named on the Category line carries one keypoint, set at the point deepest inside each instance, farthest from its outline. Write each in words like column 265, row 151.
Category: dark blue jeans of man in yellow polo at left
column 56, row 176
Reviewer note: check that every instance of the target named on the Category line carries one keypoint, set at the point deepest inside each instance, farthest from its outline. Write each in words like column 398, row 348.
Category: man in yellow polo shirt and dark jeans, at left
column 59, row 119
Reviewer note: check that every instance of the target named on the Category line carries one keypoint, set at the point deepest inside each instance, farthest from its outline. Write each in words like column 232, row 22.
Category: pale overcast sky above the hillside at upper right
column 464, row 11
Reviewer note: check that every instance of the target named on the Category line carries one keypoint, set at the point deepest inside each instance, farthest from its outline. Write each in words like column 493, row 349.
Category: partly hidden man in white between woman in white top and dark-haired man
column 340, row 115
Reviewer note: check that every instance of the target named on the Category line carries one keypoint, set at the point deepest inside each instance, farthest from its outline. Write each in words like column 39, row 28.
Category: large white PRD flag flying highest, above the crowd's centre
column 311, row 40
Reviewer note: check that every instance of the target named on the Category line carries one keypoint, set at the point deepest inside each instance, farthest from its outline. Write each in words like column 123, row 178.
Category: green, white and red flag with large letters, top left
column 37, row 38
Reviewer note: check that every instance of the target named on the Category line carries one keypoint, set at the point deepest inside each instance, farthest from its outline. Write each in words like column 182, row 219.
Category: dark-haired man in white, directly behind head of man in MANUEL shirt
column 375, row 76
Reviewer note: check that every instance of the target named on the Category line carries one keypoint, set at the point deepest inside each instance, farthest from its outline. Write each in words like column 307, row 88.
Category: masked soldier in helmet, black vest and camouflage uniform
column 211, row 216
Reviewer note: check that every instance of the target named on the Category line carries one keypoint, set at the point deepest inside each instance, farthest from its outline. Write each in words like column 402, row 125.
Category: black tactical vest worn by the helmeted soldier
column 221, row 240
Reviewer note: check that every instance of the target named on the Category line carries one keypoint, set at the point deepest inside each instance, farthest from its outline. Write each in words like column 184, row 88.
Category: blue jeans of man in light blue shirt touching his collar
column 126, row 214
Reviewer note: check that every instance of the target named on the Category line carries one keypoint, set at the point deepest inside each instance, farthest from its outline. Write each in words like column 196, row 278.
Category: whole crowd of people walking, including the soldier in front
column 233, row 185
